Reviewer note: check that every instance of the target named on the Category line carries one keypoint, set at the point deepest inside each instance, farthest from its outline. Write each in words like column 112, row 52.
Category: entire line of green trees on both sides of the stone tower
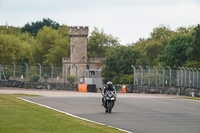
column 47, row 42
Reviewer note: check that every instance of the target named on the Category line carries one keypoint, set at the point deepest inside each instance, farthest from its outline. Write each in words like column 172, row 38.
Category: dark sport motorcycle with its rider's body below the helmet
column 109, row 99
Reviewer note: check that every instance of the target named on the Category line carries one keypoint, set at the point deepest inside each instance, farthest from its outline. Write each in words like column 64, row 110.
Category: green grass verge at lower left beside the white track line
column 17, row 116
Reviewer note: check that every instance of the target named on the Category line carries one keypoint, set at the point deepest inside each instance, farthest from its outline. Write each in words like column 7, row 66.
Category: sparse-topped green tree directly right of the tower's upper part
column 99, row 43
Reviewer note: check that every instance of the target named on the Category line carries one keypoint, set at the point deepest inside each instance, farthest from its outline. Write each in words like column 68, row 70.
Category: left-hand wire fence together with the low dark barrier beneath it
column 45, row 77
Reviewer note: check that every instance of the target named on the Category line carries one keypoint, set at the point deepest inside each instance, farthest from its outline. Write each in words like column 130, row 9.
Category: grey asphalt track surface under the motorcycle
column 138, row 115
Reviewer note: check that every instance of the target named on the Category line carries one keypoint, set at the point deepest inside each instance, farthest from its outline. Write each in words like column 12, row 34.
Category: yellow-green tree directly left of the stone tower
column 51, row 45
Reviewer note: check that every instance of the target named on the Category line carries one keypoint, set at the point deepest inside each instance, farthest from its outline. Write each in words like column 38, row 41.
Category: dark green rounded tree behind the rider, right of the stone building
column 118, row 63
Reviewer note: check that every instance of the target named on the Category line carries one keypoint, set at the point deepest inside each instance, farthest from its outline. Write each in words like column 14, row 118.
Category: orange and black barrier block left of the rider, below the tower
column 87, row 88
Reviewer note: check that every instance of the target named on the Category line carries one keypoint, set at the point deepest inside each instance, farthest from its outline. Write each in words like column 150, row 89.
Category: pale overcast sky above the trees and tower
column 128, row 20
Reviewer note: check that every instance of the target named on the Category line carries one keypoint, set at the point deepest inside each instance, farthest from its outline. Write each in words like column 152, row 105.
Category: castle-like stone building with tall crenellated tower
column 86, row 68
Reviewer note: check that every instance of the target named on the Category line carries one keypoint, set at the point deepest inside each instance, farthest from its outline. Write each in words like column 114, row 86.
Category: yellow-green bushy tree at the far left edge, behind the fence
column 15, row 46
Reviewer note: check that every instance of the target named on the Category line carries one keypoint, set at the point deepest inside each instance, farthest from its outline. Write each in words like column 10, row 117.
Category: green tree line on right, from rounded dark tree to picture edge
column 164, row 47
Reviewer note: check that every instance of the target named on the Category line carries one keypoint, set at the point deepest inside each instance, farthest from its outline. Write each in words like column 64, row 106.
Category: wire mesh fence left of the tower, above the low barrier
column 26, row 73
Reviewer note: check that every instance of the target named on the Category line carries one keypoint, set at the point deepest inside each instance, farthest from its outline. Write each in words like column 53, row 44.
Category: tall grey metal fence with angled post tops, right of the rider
column 166, row 77
